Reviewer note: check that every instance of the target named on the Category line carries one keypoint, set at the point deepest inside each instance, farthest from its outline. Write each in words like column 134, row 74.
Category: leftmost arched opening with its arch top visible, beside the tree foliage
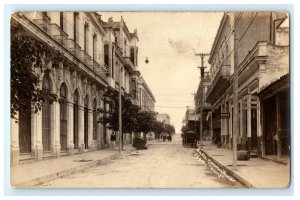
column 46, row 117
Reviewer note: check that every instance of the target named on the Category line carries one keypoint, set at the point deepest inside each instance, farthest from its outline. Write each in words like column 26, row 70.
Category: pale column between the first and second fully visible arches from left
column 56, row 129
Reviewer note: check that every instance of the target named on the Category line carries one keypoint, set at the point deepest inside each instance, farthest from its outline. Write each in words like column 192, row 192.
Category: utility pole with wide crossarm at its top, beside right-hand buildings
column 201, row 96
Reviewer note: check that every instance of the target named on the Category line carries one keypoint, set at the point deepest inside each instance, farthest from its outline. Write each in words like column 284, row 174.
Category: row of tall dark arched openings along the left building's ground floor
column 65, row 120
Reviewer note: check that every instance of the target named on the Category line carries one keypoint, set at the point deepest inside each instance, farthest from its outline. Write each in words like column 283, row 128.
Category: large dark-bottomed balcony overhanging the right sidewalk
column 219, row 84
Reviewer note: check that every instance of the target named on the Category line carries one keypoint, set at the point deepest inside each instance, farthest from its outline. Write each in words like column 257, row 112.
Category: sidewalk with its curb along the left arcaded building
column 30, row 174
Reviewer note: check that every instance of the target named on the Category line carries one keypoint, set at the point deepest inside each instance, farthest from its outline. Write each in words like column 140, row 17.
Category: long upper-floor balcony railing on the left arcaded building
column 57, row 34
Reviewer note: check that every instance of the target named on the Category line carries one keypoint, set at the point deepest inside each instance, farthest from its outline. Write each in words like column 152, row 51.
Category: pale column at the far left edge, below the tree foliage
column 14, row 141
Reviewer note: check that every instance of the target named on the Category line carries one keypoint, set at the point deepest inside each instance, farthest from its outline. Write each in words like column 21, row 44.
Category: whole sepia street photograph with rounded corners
column 162, row 100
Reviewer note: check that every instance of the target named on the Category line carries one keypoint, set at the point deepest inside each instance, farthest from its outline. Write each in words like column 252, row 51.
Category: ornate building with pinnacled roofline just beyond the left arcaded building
column 120, row 53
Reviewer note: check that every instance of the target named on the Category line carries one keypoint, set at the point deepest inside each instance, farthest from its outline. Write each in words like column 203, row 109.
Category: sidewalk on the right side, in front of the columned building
column 256, row 172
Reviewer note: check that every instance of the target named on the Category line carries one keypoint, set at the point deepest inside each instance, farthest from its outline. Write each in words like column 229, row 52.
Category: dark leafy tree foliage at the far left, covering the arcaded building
column 27, row 54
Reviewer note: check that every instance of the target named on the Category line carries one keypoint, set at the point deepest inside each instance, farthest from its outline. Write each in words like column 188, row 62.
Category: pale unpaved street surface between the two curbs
column 162, row 165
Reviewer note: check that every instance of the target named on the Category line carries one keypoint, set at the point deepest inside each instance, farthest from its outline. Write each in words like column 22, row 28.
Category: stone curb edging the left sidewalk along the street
column 67, row 172
